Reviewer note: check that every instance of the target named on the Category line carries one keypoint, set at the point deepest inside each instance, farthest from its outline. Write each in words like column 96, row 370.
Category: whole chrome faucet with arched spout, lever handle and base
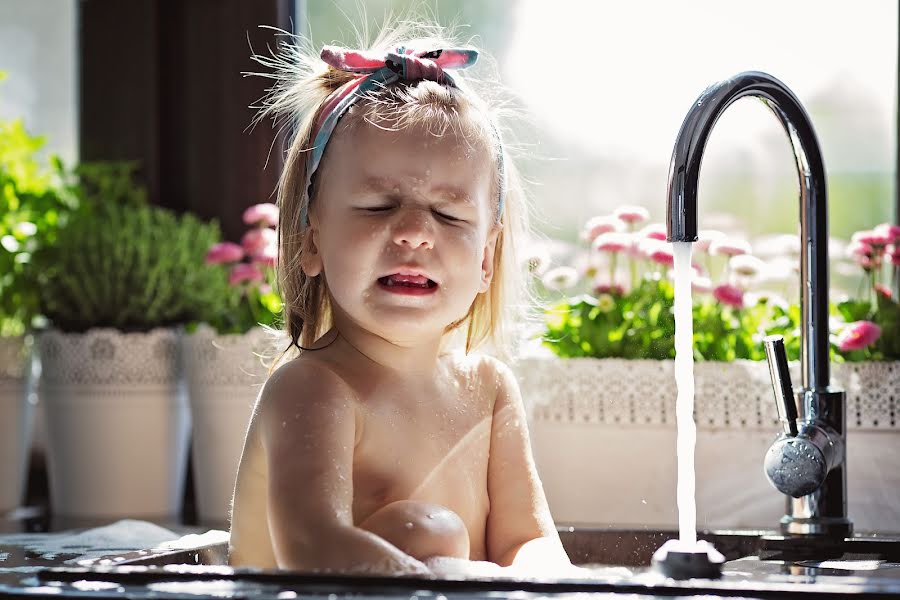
column 807, row 461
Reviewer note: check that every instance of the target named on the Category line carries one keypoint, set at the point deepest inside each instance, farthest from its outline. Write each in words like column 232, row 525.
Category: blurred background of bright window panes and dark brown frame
column 604, row 86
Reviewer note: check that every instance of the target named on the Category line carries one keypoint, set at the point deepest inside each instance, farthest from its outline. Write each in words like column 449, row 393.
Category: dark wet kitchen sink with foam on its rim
column 616, row 561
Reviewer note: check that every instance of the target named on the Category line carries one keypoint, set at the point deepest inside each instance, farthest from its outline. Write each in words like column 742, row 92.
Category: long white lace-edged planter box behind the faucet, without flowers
column 606, row 428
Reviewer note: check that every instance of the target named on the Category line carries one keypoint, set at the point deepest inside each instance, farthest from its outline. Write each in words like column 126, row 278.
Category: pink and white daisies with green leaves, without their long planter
column 623, row 305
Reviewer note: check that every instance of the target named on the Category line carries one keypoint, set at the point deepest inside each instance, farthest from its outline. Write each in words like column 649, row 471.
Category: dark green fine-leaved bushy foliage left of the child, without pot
column 120, row 262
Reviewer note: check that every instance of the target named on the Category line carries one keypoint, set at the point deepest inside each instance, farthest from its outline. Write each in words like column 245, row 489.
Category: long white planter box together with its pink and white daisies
column 603, row 384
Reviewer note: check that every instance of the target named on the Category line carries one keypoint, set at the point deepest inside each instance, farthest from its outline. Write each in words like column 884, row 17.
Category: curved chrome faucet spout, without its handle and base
column 684, row 175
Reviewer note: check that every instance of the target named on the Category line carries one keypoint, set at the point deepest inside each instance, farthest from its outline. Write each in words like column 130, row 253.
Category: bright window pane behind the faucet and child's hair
column 608, row 84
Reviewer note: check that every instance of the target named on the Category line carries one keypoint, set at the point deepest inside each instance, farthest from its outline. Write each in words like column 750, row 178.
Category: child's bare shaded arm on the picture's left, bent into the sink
column 308, row 420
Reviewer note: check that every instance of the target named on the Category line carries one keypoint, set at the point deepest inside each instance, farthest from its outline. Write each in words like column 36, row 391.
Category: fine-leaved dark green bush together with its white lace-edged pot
column 124, row 276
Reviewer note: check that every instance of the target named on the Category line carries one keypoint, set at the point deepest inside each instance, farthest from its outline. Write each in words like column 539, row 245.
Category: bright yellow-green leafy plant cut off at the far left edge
column 34, row 202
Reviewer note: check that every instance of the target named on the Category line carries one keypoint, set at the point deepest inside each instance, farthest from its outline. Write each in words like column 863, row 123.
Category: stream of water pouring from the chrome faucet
column 684, row 406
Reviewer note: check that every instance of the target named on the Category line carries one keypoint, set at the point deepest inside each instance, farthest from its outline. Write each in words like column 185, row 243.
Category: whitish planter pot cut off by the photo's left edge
column 16, row 414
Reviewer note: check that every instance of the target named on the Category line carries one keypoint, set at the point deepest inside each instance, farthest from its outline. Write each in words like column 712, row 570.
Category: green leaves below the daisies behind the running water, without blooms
column 640, row 324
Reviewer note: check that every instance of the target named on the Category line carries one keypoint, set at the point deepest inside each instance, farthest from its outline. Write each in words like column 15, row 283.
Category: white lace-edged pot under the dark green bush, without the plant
column 117, row 424
